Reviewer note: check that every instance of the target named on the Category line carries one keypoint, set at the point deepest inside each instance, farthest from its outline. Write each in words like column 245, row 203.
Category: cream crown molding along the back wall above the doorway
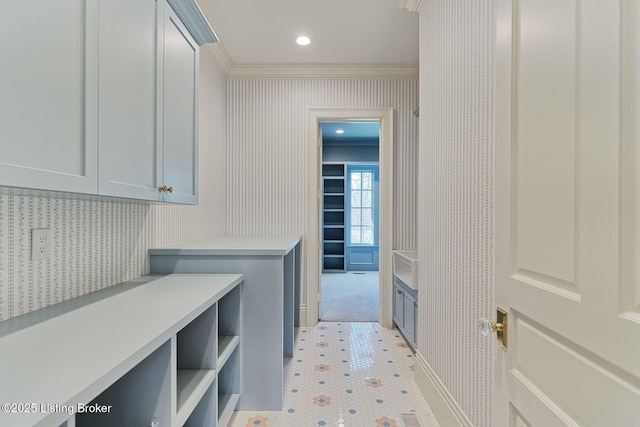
column 324, row 71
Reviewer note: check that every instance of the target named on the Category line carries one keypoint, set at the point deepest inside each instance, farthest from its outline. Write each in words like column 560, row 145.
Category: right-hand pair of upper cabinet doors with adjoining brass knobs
column 148, row 103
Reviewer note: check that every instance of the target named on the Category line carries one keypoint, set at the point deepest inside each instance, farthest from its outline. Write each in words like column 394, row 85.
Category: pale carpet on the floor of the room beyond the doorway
column 350, row 297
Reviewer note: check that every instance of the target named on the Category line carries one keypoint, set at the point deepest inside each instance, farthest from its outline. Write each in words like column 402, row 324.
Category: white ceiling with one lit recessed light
column 342, row 32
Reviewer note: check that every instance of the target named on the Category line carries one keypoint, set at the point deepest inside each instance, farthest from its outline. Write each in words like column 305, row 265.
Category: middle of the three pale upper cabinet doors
column 128, row 81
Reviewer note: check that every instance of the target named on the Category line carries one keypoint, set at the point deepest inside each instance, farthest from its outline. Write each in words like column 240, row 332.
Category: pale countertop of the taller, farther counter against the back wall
column 232, row 245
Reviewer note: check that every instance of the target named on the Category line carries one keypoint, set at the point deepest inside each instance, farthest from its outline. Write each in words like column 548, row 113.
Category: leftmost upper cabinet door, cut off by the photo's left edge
column 48, row 95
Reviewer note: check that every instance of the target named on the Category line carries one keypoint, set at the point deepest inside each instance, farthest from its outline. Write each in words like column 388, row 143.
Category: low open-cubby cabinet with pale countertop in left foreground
column 164, row 353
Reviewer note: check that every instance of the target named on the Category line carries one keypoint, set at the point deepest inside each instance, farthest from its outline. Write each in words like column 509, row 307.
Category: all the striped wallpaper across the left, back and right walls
column 252, row 181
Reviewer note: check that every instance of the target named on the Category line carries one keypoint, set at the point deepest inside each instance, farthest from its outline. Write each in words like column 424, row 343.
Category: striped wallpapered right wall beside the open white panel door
column 455, row 226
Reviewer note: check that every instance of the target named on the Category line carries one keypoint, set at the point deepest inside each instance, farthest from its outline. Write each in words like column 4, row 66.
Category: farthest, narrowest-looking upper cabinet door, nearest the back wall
column 179, row 157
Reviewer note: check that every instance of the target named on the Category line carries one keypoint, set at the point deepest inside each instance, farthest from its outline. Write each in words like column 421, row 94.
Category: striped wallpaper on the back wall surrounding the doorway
column 267, row 152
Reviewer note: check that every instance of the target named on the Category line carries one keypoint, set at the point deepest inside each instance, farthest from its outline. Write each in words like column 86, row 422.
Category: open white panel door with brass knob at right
column 565, row 218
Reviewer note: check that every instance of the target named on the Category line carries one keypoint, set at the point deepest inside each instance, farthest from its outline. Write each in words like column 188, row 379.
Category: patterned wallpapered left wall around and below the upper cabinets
column 99, row 243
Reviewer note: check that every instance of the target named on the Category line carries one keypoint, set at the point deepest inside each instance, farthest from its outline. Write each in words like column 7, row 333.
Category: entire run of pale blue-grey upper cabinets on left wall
column 100, row 97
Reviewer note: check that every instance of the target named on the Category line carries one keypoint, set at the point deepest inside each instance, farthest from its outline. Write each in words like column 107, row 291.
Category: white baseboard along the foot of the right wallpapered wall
column 442, row 403
